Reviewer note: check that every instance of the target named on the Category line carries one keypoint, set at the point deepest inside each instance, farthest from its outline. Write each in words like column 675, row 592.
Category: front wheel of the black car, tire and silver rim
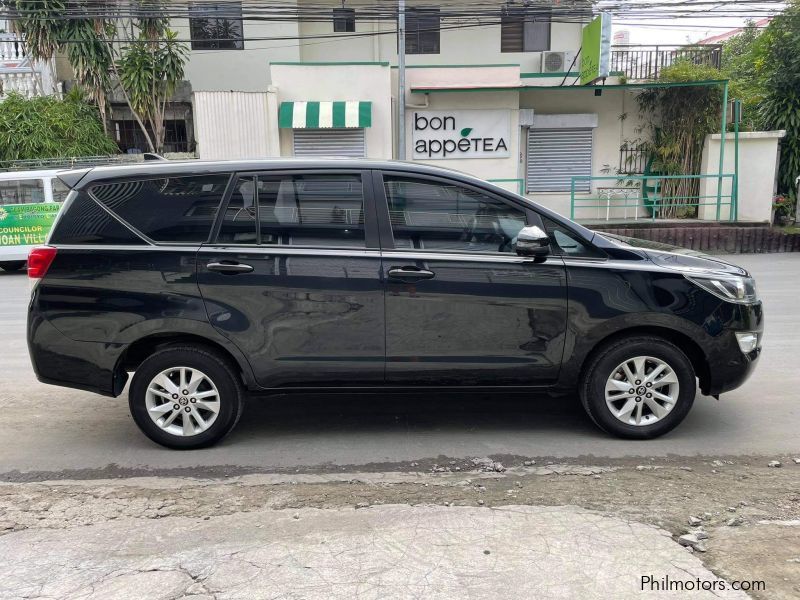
column 605, row 365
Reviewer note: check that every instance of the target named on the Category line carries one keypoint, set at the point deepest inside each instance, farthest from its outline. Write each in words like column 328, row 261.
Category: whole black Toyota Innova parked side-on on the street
column 210, row 280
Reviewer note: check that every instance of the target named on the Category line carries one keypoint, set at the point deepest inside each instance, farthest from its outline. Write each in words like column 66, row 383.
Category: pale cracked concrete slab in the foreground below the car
column 390, row 551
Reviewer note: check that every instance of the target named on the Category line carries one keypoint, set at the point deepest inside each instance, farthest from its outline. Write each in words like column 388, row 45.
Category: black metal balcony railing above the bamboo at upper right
column 647, row 62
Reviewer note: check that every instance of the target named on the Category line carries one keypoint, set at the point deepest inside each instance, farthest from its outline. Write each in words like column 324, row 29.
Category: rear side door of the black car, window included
column 293, row 277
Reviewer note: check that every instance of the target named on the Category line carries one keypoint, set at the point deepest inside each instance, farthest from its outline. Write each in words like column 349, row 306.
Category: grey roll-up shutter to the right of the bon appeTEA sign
column 555, row 156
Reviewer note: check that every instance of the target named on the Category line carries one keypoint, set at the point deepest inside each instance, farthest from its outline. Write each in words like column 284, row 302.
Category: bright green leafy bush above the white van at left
column 46, row 127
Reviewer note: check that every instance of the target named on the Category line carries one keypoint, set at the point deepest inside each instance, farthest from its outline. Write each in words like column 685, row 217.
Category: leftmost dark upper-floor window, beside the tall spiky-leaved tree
column 216, row 26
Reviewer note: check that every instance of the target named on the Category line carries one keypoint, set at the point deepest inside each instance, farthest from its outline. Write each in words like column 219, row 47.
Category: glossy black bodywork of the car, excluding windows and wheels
column 309, row 326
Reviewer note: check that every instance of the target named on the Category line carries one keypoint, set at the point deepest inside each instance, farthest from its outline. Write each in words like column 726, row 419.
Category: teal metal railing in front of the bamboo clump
column 654, row 197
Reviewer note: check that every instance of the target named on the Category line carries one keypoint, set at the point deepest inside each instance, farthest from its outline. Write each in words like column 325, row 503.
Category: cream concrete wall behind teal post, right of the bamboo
column 758, row 167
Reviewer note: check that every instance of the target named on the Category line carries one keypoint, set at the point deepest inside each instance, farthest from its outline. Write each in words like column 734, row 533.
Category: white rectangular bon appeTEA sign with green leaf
column 442, row 134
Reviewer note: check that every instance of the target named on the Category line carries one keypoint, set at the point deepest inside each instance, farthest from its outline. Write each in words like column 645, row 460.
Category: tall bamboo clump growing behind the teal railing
column 681, row 118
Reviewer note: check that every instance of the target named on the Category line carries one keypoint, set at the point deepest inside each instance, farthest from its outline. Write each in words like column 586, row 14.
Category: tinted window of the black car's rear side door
column 297, row 210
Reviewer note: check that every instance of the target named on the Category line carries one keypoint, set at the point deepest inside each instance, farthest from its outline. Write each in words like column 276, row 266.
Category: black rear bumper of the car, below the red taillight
column 58, row 360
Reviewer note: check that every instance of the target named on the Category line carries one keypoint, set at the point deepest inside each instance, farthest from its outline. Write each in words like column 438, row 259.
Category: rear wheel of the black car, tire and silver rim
column 219, row 388
